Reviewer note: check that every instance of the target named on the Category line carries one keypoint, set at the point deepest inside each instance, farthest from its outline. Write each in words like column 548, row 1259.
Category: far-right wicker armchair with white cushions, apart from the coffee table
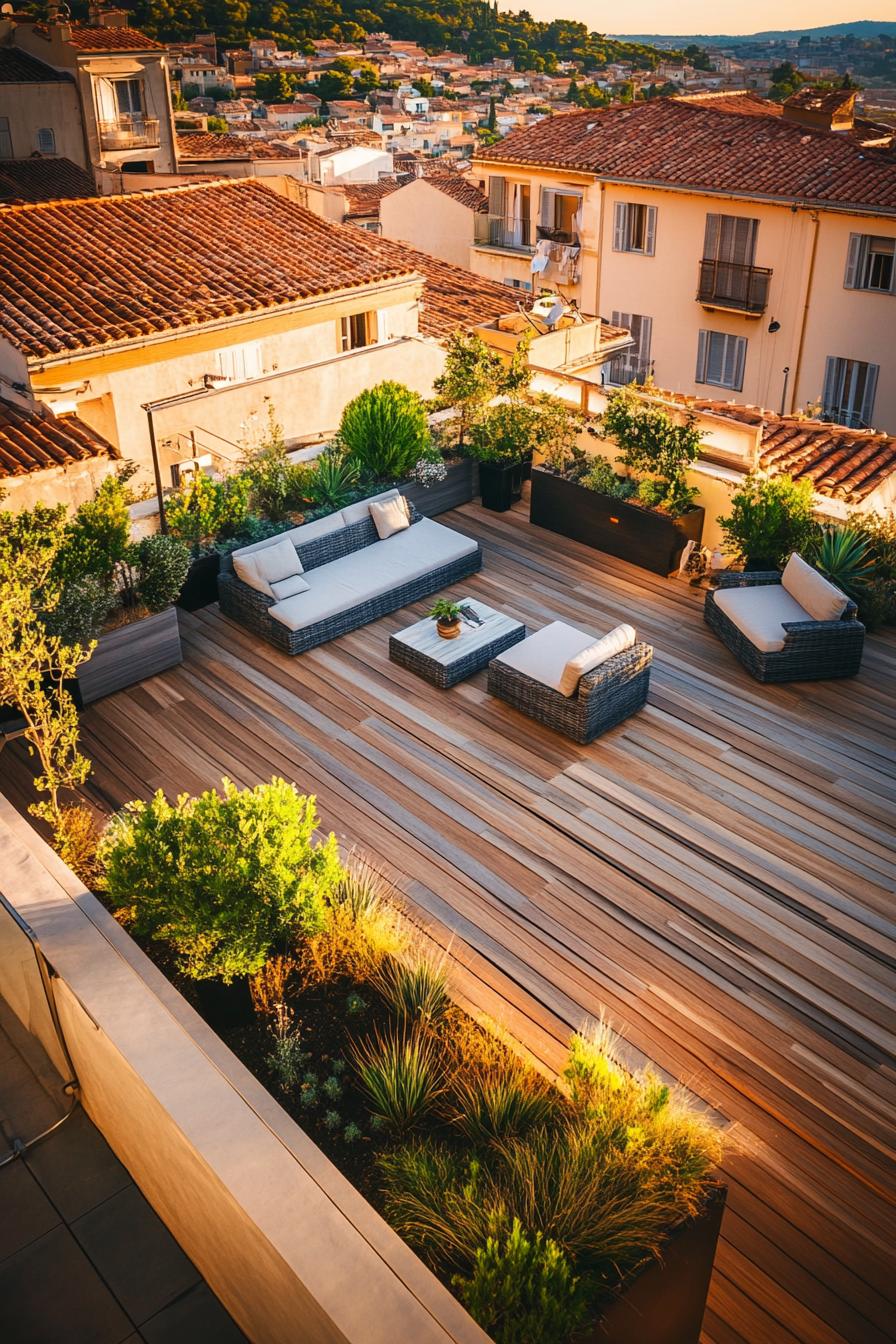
column 792, row 627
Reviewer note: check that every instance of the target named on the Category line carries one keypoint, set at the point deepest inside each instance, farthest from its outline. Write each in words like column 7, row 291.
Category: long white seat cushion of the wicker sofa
column 373, row 572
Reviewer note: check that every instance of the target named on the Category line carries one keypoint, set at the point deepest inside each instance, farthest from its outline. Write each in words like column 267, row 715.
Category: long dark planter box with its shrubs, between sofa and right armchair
column 645, row 517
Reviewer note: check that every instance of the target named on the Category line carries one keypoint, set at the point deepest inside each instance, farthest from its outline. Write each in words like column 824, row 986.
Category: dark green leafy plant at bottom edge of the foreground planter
column 522, row 1290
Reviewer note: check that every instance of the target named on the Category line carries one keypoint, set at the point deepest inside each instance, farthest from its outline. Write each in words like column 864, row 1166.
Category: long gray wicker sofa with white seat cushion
column 351, row 576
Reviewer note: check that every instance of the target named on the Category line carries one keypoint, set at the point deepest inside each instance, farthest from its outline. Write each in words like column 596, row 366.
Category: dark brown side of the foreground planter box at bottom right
column 666, row 1303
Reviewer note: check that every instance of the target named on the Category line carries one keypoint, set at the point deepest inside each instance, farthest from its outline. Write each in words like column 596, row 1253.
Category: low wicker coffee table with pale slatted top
column 445, row 663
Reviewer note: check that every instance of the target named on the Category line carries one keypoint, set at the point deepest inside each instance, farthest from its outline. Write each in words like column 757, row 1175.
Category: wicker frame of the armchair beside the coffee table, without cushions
column 607, row 697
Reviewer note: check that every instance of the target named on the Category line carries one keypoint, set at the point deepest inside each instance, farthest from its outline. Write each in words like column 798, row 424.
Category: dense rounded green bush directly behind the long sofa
column 386, row 431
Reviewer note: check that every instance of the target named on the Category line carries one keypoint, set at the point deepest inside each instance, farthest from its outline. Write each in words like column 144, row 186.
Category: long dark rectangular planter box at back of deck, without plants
column 654, row 541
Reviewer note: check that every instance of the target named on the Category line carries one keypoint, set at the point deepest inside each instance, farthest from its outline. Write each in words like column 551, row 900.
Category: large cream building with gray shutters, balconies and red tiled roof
column 750, row 252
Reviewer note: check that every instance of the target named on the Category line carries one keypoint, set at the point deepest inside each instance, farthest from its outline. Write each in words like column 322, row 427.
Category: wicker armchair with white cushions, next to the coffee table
column 530, row 677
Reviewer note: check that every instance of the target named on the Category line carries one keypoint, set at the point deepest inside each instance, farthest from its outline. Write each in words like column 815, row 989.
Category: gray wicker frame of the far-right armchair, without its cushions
column 813, row 651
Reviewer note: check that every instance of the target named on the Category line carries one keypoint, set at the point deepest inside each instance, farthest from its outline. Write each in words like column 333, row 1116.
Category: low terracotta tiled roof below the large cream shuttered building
column 843, row 463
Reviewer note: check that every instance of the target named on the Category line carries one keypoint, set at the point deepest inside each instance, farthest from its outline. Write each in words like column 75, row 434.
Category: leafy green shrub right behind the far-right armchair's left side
column 770, row 518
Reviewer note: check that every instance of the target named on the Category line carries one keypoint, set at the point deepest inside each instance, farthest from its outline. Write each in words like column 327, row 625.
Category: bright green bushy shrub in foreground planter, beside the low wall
column 226, row 878
